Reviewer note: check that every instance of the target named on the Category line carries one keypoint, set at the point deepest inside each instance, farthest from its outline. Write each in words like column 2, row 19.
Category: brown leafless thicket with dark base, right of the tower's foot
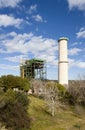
column 76, row 93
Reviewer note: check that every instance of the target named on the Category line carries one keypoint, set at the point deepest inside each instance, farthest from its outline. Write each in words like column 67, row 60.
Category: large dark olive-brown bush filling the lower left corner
column 13, row 111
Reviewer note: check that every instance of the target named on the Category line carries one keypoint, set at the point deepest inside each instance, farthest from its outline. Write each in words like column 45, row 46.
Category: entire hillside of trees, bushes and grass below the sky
column 58, row 109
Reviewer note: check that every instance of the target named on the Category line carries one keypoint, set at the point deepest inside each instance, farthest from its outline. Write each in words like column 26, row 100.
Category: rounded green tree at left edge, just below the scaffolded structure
column 10, row 81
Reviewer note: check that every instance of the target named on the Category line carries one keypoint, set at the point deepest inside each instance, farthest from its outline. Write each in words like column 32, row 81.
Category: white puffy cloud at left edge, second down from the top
column 6, row 20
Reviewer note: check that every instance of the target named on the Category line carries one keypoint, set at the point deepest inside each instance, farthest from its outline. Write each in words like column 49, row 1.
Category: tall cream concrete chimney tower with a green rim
column 63, row 61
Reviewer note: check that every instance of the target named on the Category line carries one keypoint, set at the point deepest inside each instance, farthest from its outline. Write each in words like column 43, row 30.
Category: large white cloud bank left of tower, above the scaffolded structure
column 27, row 44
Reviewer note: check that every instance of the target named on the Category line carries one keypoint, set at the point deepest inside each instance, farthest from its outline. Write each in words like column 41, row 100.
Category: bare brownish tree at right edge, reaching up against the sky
column 77, row 90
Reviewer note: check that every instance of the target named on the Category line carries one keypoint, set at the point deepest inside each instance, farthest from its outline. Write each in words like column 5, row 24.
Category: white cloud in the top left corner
column 9, row 3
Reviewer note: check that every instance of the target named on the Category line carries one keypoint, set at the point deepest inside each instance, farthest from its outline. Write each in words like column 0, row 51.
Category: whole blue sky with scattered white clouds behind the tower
column 31, row 29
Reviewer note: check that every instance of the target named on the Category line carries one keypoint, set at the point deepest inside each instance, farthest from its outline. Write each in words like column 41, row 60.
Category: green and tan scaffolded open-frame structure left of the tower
column 33, row 68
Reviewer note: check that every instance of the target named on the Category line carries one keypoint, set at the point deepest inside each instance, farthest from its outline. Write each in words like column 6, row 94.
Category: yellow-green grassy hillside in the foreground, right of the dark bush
column 65, row 119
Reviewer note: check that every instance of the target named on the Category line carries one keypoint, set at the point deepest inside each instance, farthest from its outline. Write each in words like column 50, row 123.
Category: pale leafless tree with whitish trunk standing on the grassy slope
column 51, row 97
